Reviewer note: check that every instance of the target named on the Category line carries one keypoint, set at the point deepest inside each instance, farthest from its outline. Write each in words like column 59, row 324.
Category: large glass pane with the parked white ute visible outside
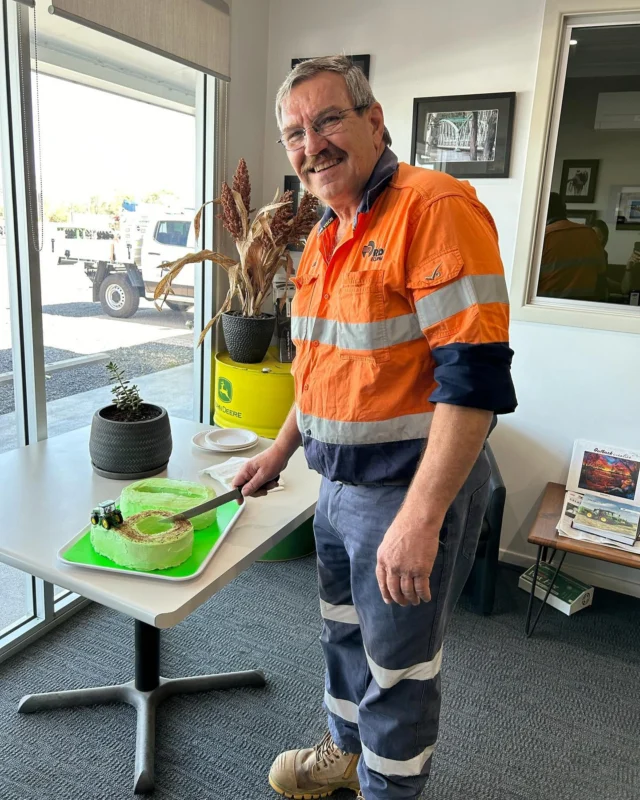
column 117, row 155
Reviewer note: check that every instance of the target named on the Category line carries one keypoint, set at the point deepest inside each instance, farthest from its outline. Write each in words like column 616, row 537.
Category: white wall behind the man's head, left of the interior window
column 417, row 49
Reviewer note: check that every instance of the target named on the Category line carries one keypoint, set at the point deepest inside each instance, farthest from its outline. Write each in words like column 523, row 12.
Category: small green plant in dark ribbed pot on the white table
column 129, row 438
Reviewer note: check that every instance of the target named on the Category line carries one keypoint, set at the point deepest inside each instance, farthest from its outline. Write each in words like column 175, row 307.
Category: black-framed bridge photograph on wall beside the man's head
column 468, row 136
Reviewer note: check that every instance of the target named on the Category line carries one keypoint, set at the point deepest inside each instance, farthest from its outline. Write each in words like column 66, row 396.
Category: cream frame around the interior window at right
column 559, row 18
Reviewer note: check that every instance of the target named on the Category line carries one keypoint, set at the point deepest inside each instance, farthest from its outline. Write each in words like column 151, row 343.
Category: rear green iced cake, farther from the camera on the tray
column 163, row 494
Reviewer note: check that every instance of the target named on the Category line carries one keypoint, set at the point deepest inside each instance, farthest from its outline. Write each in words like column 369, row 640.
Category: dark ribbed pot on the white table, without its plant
column 130, row 450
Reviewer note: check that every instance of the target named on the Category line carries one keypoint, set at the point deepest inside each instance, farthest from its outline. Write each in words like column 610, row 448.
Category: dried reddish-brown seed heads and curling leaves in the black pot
column 261, row 244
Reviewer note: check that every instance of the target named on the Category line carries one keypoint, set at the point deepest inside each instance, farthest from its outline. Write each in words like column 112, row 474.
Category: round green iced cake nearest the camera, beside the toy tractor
column 146, row 541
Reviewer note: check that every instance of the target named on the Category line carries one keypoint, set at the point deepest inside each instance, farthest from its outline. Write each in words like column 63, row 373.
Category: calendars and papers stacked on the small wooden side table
column 602, row 502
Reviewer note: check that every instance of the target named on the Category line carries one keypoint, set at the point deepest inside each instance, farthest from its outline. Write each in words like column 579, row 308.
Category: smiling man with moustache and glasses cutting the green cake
column 400, row 321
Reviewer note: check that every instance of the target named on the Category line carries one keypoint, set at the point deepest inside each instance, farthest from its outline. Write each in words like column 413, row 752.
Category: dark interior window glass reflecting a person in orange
column 591, row 247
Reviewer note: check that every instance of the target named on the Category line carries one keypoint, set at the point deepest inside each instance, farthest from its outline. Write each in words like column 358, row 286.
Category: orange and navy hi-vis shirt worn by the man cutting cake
column 410, row 310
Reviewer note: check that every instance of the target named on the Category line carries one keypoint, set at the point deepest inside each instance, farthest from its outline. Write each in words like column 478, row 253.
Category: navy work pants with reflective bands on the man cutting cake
column 382, row 687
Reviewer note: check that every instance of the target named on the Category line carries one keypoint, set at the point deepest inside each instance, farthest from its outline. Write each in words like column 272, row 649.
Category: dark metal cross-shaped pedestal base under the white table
column 145, row 694
